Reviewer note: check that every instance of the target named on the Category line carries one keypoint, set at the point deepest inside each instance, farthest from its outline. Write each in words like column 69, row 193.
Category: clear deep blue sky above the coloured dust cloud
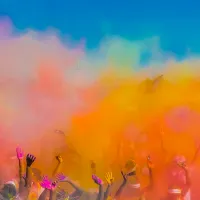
column 177, row 23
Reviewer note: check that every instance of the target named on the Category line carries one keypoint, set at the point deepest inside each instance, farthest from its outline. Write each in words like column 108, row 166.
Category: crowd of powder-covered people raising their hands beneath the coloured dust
column 26, row 187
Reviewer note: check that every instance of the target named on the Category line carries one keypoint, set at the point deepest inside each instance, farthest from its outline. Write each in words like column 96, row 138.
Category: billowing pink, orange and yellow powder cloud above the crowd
column 112, row 102
